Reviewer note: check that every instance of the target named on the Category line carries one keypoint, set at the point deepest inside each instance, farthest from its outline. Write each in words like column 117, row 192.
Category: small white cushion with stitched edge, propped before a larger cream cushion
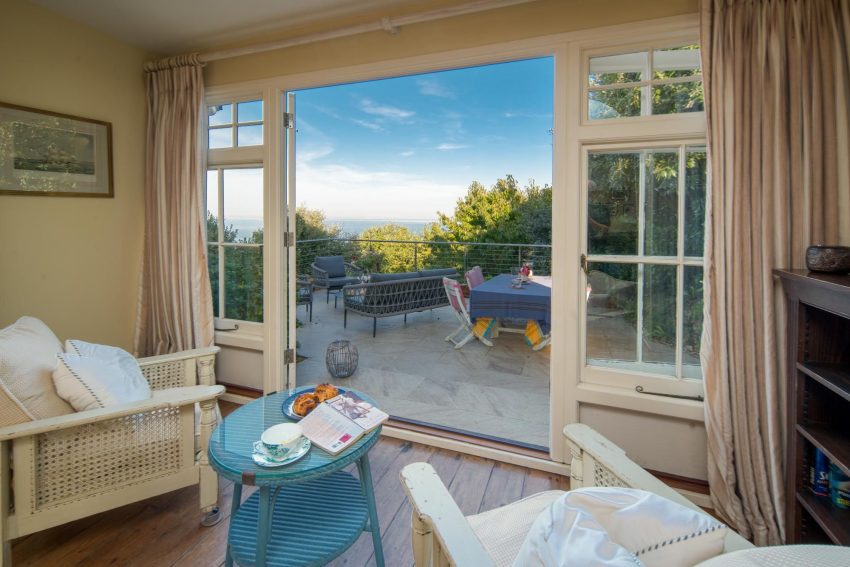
column 94, row 376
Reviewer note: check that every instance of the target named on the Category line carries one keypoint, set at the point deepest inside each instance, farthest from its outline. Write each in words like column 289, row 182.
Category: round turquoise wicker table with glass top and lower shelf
column 304, row 513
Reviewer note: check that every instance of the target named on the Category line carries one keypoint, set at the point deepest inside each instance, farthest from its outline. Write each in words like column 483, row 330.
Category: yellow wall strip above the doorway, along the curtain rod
column 539, row 18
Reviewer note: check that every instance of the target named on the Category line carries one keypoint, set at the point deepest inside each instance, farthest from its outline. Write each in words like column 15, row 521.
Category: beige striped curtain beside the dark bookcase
column 775, row 76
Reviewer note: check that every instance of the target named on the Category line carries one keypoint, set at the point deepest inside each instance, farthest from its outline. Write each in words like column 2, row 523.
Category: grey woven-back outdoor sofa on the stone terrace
column 385, row 295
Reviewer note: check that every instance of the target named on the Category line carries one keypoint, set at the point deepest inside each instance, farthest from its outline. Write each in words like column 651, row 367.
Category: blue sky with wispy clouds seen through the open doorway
column 407, row 147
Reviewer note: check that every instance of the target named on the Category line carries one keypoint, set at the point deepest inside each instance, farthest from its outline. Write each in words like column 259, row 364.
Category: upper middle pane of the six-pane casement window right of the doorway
column 661, row 203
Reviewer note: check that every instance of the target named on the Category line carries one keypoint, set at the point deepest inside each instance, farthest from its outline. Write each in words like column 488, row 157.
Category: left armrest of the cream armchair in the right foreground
column 436, row 508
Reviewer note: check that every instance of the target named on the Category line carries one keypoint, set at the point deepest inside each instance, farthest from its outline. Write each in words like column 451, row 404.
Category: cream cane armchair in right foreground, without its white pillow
column 442, row 535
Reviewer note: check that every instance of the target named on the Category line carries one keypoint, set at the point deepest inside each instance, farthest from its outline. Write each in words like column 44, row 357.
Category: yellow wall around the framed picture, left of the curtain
column 74, row 262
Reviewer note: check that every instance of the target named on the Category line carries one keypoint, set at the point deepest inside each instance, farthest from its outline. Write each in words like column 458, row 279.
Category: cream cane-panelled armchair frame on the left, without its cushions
column 60, row 469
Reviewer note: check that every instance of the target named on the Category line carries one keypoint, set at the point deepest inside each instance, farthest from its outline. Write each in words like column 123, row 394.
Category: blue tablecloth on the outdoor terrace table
column 496, row 298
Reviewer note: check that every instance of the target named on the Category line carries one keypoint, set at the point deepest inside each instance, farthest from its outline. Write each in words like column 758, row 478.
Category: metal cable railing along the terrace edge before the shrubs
column 389, row 256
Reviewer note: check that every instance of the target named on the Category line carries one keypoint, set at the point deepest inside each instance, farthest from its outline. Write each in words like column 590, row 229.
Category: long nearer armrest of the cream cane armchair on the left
column 174, row 397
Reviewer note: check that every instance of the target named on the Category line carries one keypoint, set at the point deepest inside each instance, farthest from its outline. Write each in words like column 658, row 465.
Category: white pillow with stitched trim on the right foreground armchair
column 612, row 526
